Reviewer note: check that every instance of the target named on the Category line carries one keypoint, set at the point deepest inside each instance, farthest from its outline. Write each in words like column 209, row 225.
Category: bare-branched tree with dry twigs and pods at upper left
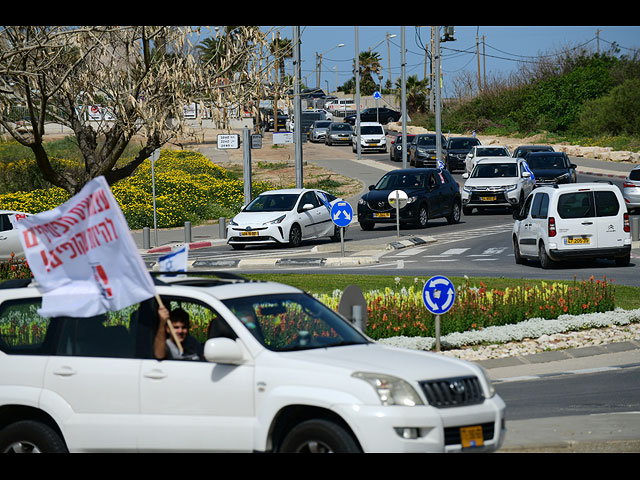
column 141, row 77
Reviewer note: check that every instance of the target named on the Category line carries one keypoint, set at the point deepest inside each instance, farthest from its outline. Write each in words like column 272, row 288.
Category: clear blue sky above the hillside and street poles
column 504, row 48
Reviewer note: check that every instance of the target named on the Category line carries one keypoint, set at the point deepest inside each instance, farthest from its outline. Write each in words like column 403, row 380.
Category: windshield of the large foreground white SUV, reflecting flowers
column 297, row 321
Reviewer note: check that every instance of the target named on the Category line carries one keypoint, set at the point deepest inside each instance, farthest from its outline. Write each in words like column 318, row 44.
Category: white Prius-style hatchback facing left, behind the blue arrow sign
column 287, row 216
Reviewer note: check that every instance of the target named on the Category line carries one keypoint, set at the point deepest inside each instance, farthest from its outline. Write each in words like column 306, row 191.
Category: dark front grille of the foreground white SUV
column 453, row 392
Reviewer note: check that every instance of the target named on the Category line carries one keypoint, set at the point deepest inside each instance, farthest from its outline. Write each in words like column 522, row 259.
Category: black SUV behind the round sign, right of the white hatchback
column 432, row 194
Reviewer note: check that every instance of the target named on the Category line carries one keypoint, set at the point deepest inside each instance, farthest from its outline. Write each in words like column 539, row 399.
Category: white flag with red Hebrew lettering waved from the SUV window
column 83, row 256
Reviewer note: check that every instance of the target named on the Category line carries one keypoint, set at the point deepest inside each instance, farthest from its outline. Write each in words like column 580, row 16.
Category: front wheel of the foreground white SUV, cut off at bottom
column 319, row 436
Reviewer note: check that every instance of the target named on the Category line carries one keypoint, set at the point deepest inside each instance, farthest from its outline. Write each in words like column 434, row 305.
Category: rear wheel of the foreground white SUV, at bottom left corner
column 27, row 436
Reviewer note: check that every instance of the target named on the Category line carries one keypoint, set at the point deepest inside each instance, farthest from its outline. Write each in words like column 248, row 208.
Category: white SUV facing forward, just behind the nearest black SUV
column 496, row 182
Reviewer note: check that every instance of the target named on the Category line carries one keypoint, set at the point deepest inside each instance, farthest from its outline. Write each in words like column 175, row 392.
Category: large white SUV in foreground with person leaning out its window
column 281, row 373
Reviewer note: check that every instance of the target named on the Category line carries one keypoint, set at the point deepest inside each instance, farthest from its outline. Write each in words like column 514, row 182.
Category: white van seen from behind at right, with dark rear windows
column 578, row 220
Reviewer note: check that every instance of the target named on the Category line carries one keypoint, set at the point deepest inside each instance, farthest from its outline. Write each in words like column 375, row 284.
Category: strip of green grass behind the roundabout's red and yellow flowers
column 626, row 297
